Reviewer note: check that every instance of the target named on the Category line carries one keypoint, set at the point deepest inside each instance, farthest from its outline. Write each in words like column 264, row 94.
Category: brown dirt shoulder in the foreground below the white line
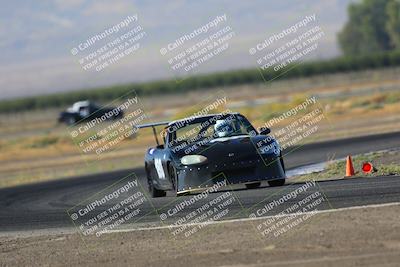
column 360, row 237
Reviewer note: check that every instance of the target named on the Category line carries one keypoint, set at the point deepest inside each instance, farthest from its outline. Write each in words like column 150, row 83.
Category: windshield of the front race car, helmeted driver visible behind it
column 211, row 128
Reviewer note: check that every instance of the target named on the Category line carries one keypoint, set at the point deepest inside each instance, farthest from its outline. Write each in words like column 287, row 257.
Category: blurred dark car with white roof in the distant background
column 86, row 110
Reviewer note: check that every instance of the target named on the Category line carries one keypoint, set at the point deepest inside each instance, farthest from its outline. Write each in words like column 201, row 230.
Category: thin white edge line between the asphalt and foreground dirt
column 251, row 219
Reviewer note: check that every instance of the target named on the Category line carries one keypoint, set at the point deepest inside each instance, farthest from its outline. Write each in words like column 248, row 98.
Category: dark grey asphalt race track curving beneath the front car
column 45, row 205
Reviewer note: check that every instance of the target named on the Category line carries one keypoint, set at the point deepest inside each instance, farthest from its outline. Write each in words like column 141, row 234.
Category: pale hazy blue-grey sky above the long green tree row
column 36, row 37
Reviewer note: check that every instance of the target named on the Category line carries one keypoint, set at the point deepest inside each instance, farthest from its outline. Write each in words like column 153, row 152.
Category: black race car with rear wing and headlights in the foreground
column 199, row 152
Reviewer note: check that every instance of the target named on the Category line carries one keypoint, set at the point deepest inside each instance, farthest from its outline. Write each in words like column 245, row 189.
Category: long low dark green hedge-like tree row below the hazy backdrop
column 237, row 77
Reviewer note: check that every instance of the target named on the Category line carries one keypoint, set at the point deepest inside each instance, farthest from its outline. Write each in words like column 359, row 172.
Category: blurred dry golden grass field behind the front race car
column 34, row 147
